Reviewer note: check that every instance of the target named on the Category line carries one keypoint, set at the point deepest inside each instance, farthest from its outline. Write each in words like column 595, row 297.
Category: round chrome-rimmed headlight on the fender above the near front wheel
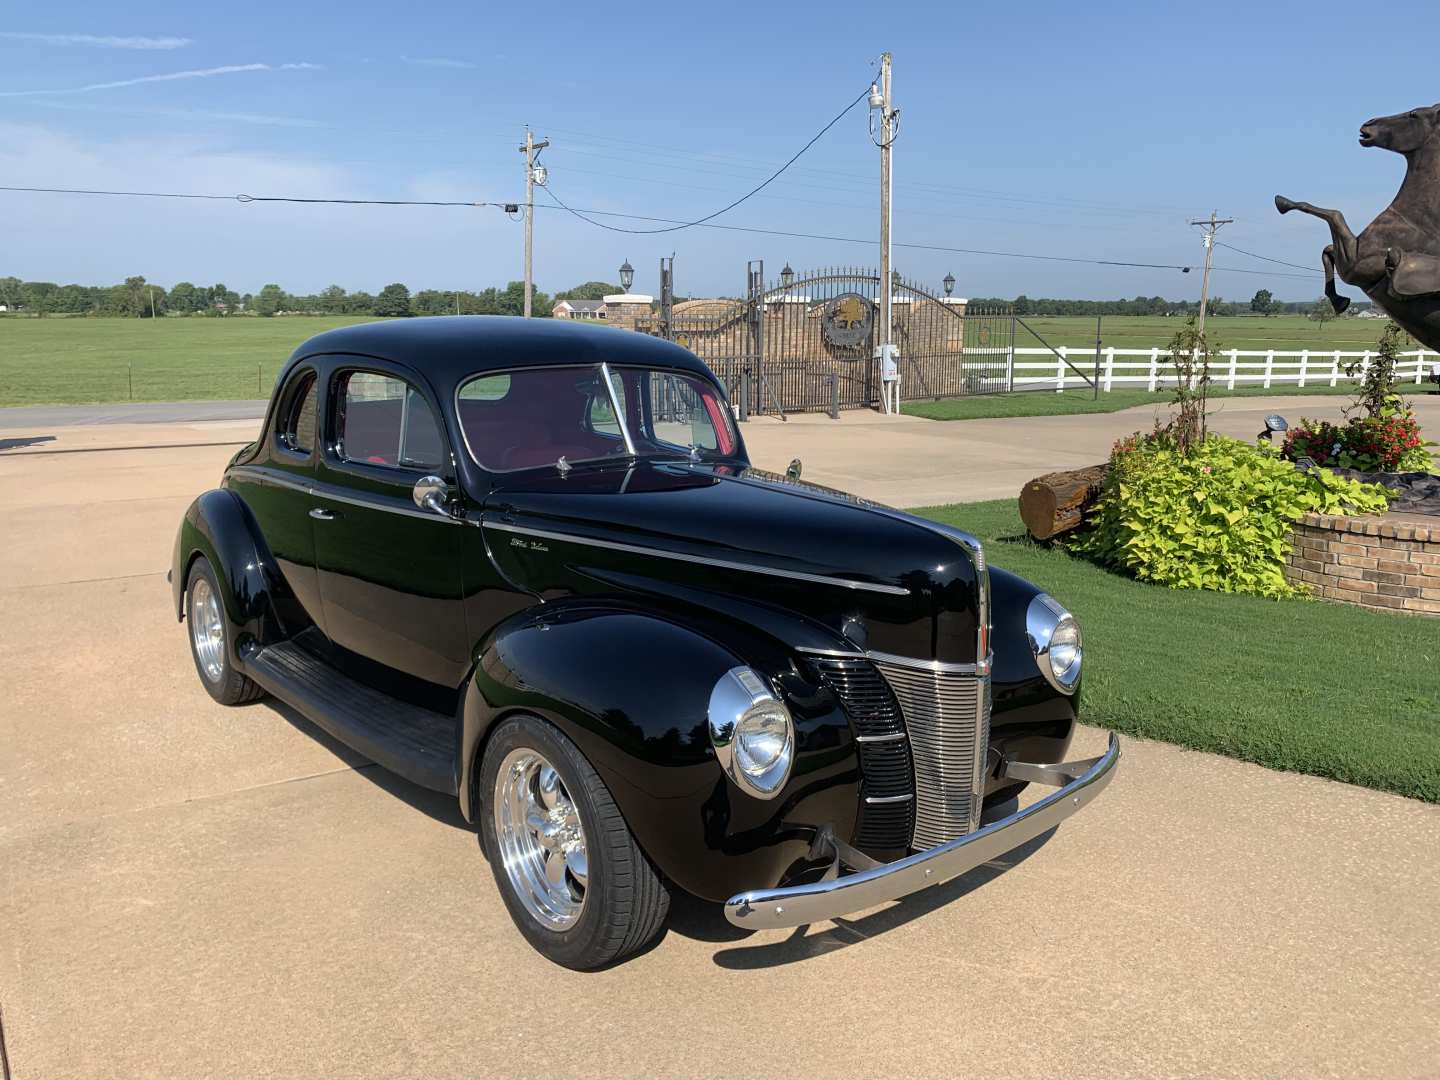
column 752, row 734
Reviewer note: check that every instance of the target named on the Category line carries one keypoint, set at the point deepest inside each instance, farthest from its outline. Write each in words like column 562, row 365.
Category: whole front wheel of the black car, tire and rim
column 572, row 876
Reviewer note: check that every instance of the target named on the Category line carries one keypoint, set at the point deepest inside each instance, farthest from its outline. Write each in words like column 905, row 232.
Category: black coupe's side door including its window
column 391, row 575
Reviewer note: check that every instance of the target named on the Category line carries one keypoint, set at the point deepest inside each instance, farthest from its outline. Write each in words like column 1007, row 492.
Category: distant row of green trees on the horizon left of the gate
column 140, row 299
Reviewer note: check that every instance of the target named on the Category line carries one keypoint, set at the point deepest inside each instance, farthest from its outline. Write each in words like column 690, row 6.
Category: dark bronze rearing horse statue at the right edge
column 1396, row 260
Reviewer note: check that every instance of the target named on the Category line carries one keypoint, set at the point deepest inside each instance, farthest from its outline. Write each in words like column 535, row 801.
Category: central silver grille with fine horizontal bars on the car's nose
column 947, row 718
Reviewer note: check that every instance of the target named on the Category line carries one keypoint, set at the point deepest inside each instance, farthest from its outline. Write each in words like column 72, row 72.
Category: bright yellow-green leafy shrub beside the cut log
column 1219, row 518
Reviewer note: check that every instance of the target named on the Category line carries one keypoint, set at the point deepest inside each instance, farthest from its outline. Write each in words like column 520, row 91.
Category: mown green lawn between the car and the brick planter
column 1292, row 685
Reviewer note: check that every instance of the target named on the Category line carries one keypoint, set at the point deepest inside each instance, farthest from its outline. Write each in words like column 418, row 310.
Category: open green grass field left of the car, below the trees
column 83, row 361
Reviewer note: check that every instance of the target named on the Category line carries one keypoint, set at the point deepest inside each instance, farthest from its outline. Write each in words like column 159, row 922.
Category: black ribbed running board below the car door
column 413, row 742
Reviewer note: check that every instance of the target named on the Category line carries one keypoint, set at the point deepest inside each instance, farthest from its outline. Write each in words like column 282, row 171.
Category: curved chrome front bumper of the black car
column 1079, row 783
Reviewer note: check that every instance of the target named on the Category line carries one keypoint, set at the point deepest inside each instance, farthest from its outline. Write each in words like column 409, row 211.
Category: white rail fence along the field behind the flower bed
column 1039, row 369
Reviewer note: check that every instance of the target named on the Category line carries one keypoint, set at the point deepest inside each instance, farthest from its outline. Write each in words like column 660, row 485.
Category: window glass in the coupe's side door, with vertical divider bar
column 385, row 421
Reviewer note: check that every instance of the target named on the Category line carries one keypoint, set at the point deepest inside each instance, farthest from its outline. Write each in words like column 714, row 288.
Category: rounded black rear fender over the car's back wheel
column 220, row 528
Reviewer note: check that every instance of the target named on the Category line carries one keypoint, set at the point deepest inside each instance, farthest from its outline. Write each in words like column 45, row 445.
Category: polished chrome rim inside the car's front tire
column 541, row 840
